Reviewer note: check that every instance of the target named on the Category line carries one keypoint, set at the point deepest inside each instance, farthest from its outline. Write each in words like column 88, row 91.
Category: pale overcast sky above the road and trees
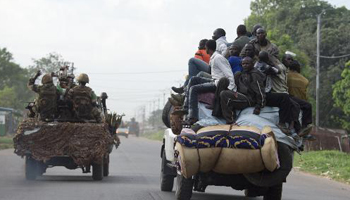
column 134, row 50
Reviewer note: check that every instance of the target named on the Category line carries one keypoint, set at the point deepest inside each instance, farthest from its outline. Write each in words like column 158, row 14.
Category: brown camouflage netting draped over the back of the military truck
column 84, row 142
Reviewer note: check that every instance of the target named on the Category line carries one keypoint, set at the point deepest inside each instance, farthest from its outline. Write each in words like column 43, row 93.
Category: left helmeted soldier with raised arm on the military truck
column 46, row 103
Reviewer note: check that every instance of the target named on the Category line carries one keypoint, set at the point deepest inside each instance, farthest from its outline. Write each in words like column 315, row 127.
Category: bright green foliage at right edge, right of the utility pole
column 341, row 96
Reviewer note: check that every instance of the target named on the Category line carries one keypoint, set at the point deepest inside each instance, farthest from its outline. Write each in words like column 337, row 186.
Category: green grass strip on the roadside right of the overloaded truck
column 331, row 164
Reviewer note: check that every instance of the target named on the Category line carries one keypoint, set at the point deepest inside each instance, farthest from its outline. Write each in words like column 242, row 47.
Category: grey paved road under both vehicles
column 135, row 168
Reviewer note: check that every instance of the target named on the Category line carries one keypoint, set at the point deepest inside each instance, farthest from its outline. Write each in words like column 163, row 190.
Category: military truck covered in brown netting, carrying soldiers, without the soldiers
column 67, row 141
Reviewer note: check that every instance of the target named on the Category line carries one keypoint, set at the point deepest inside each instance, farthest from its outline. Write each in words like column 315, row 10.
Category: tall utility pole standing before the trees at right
column 318, row 69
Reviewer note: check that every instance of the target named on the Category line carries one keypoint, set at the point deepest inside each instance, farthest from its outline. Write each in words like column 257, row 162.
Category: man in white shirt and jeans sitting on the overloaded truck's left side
column 220, row 67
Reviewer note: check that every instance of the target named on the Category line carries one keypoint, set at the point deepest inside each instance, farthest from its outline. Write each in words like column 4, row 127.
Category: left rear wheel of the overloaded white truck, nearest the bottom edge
column 184, row 188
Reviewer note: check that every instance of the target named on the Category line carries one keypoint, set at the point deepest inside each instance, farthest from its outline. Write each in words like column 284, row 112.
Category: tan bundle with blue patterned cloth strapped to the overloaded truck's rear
column 226, row 149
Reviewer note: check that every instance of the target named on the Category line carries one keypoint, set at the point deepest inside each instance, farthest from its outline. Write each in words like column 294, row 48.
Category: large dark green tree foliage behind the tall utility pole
column 292, row 25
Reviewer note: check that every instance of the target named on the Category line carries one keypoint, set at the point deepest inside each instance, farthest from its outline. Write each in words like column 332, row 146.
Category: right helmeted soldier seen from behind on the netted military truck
column 84, row 99
